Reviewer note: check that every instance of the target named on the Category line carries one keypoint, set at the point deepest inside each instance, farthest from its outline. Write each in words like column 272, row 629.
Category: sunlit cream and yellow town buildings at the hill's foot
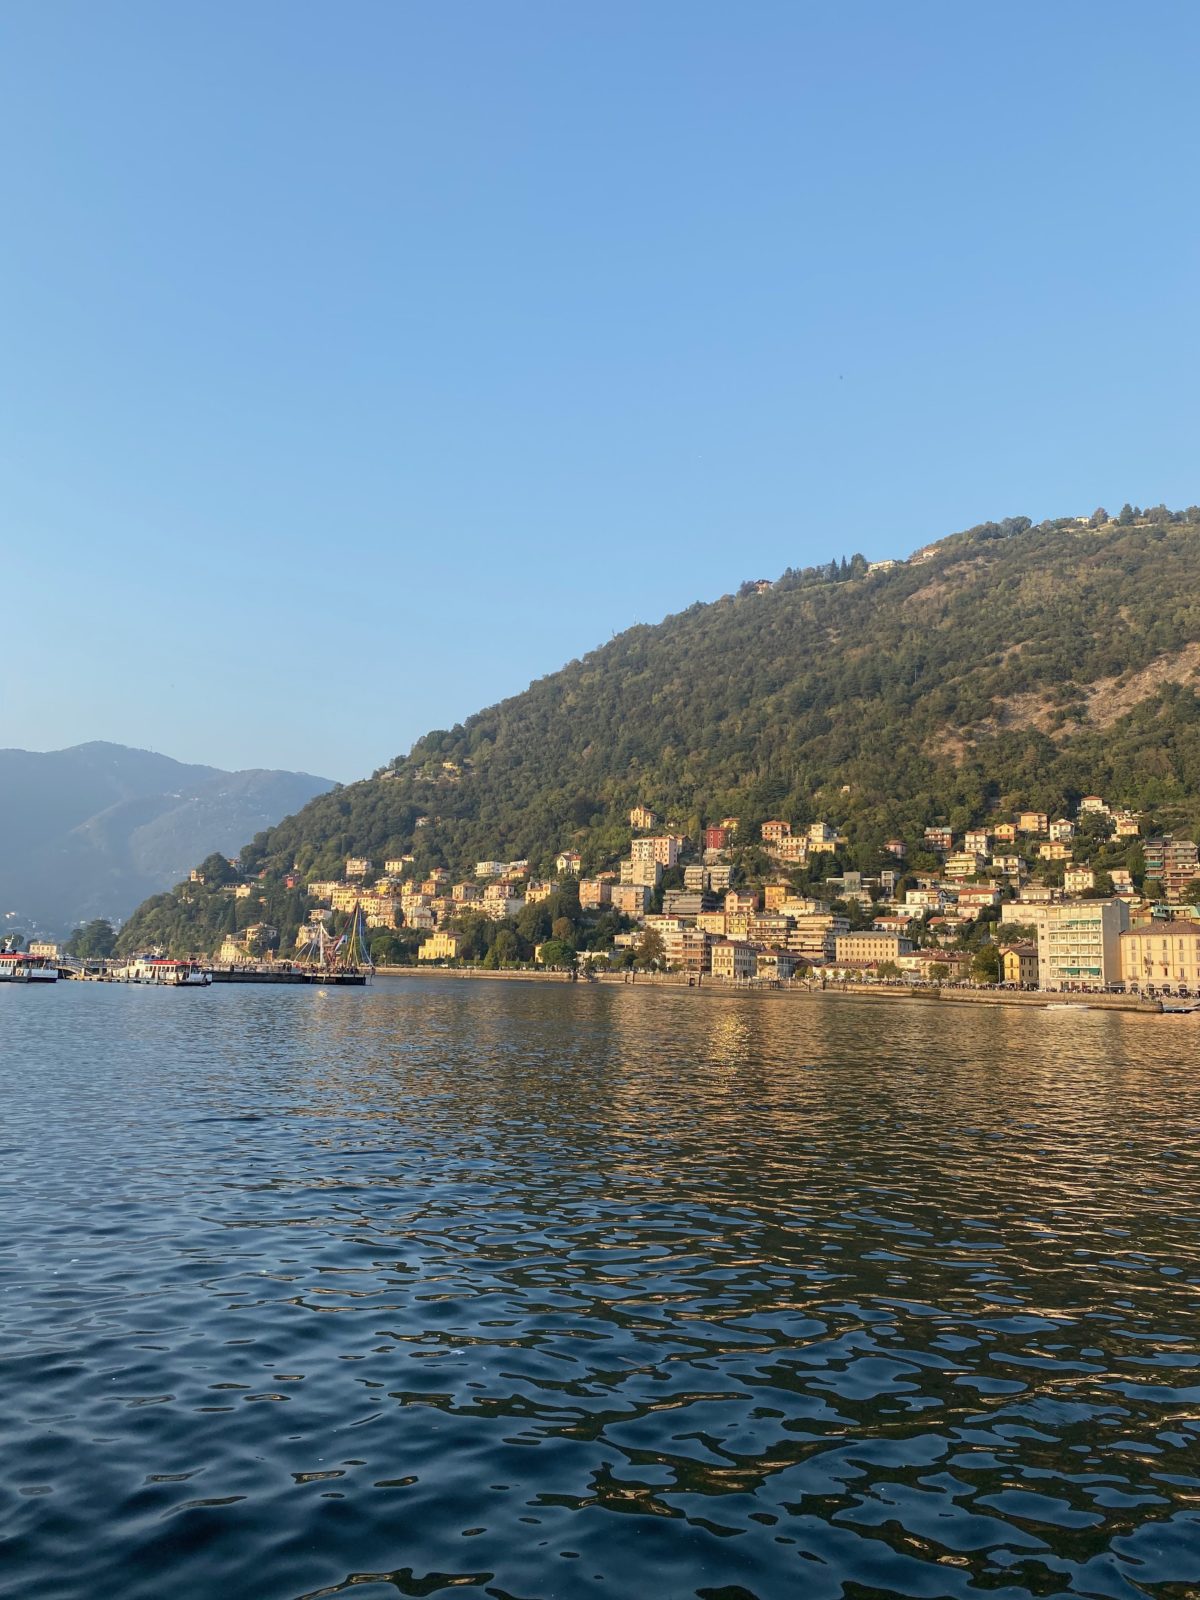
column 1028, row 902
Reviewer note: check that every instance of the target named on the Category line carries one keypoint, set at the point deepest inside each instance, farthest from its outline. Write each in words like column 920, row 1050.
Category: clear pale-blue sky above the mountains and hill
column 364, row 362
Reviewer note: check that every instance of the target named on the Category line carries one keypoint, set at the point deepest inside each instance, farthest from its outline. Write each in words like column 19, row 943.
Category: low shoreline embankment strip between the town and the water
column 999, row 998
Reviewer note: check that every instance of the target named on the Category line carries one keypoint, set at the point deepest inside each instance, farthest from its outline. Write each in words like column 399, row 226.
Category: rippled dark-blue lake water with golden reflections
column 537, row 1292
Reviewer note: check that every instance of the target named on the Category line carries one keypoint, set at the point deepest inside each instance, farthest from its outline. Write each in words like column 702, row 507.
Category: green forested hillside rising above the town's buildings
column 1010, row 665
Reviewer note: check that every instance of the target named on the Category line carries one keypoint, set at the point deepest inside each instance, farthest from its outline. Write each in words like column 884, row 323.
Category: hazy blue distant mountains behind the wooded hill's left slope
column 92, row 831
